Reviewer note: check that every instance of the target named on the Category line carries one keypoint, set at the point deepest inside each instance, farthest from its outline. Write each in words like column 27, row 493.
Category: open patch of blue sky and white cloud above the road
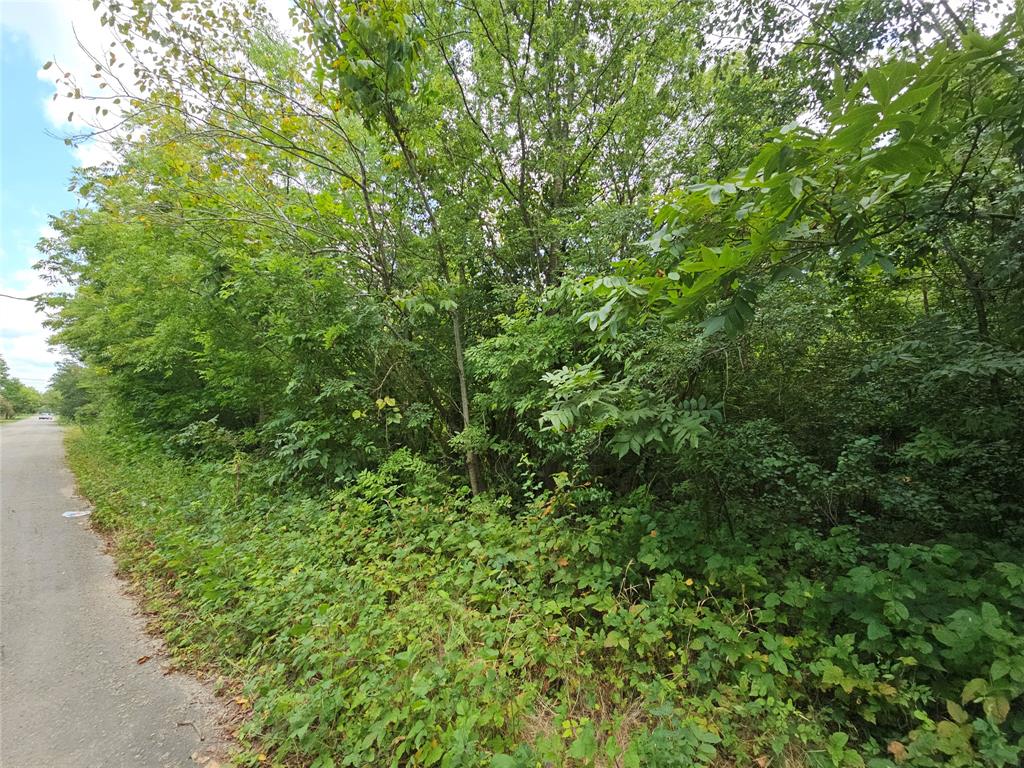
column 34, row 174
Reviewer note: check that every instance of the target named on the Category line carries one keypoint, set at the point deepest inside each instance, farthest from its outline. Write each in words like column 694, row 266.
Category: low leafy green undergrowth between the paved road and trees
column 400, row 623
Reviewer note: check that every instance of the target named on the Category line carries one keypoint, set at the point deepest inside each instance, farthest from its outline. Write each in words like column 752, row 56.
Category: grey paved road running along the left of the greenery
column 72, row 694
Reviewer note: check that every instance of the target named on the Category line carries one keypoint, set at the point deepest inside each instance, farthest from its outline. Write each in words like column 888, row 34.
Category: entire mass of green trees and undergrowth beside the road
column 599, row 382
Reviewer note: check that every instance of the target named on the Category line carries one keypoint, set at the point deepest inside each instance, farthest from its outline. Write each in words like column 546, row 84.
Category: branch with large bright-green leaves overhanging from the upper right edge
column 890, row 166
